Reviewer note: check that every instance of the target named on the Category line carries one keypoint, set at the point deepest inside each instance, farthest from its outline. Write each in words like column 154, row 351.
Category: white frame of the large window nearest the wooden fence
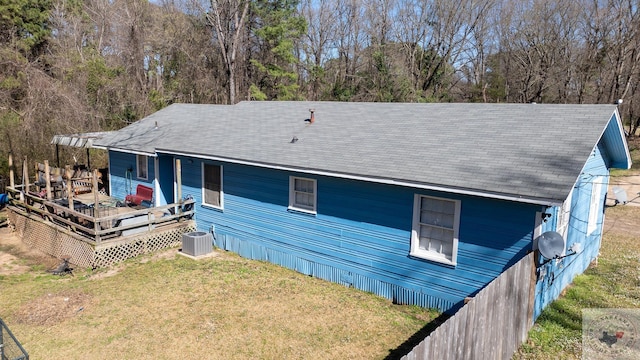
column 415, row 250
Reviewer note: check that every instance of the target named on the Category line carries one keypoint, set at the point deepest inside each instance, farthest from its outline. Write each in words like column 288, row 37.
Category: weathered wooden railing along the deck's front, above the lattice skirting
column 110, row 223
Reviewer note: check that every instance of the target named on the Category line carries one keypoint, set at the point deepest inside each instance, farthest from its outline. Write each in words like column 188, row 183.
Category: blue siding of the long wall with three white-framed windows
column 361, row 233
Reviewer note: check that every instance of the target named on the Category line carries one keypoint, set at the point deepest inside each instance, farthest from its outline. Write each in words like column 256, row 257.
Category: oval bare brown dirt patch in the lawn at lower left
column 51, row 309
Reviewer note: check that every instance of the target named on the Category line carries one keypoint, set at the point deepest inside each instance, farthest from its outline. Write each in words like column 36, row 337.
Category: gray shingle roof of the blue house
column 531, row 152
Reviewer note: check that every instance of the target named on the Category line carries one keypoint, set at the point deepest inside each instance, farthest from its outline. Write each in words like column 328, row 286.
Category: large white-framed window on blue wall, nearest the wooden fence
column 435, row 229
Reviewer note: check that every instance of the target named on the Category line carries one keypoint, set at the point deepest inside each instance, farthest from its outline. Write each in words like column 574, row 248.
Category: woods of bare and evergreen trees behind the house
column 69, row 66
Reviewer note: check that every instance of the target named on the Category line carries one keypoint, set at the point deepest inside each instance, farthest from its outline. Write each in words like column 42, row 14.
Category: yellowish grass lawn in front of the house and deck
column 167, row 306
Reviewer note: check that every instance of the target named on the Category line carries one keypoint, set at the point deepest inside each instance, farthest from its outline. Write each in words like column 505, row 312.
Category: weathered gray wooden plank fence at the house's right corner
column 490, row 326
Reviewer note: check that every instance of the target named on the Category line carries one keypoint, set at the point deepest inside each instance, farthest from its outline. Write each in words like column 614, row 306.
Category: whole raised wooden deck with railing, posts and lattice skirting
column 64, row 213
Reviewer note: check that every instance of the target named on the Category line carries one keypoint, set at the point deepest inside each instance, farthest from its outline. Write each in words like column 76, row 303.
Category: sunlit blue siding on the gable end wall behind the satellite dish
column 554, row 277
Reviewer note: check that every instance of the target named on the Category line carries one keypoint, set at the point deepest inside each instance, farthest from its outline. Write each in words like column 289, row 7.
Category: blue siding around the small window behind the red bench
column 122, row 172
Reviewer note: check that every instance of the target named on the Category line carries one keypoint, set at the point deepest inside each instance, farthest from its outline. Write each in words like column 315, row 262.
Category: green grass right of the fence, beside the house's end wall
column 613, row 283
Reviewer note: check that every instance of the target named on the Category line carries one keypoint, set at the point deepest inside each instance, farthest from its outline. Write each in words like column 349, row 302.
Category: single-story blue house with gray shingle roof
column 420, row 203
